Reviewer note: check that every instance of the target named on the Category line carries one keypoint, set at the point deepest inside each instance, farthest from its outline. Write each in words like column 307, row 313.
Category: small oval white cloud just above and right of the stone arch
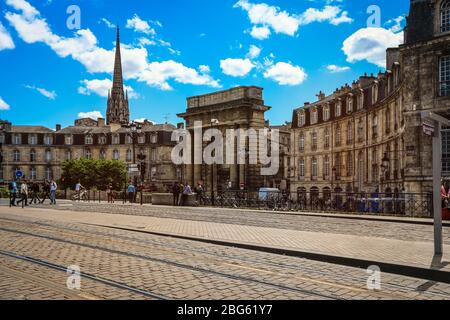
column 286, row 74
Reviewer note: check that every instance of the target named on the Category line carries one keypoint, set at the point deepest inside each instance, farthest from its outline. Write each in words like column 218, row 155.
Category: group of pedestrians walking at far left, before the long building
column 21, row 192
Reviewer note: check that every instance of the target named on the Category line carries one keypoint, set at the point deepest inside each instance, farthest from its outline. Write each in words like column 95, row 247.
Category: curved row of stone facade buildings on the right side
column 369, row 135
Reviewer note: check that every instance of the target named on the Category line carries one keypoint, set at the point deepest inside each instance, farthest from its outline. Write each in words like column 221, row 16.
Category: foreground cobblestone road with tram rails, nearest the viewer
column 118, row 264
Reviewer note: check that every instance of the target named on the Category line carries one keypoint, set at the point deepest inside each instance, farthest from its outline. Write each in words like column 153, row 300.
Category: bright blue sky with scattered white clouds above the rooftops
column 175, row 49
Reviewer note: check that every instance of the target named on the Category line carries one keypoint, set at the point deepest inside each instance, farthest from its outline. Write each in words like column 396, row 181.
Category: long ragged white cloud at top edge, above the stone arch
column 265, row 18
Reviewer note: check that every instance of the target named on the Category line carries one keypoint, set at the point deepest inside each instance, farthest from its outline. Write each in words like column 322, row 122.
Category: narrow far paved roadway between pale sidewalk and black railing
column 389, row 230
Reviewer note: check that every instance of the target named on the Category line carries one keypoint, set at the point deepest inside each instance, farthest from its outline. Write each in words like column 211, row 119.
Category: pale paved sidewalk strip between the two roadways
column 404, row 255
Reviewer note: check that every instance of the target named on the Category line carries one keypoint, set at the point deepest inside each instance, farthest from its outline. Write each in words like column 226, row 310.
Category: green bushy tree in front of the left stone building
column 94, row 173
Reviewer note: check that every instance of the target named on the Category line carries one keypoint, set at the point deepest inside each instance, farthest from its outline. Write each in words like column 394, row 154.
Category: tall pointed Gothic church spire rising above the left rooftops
column 117, row 111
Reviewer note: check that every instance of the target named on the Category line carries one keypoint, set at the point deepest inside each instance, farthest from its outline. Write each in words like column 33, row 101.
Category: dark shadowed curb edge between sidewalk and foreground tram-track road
column 403, row 270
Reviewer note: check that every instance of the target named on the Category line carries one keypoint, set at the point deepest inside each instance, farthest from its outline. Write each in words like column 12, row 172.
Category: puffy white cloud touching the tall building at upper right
column 370, row 44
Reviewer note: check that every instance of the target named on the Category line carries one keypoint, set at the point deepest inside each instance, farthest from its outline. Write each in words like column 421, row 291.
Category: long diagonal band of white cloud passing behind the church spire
column 83, row 47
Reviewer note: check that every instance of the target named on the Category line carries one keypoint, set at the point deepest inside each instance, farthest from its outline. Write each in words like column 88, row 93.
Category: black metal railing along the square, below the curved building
column 403, row 204
